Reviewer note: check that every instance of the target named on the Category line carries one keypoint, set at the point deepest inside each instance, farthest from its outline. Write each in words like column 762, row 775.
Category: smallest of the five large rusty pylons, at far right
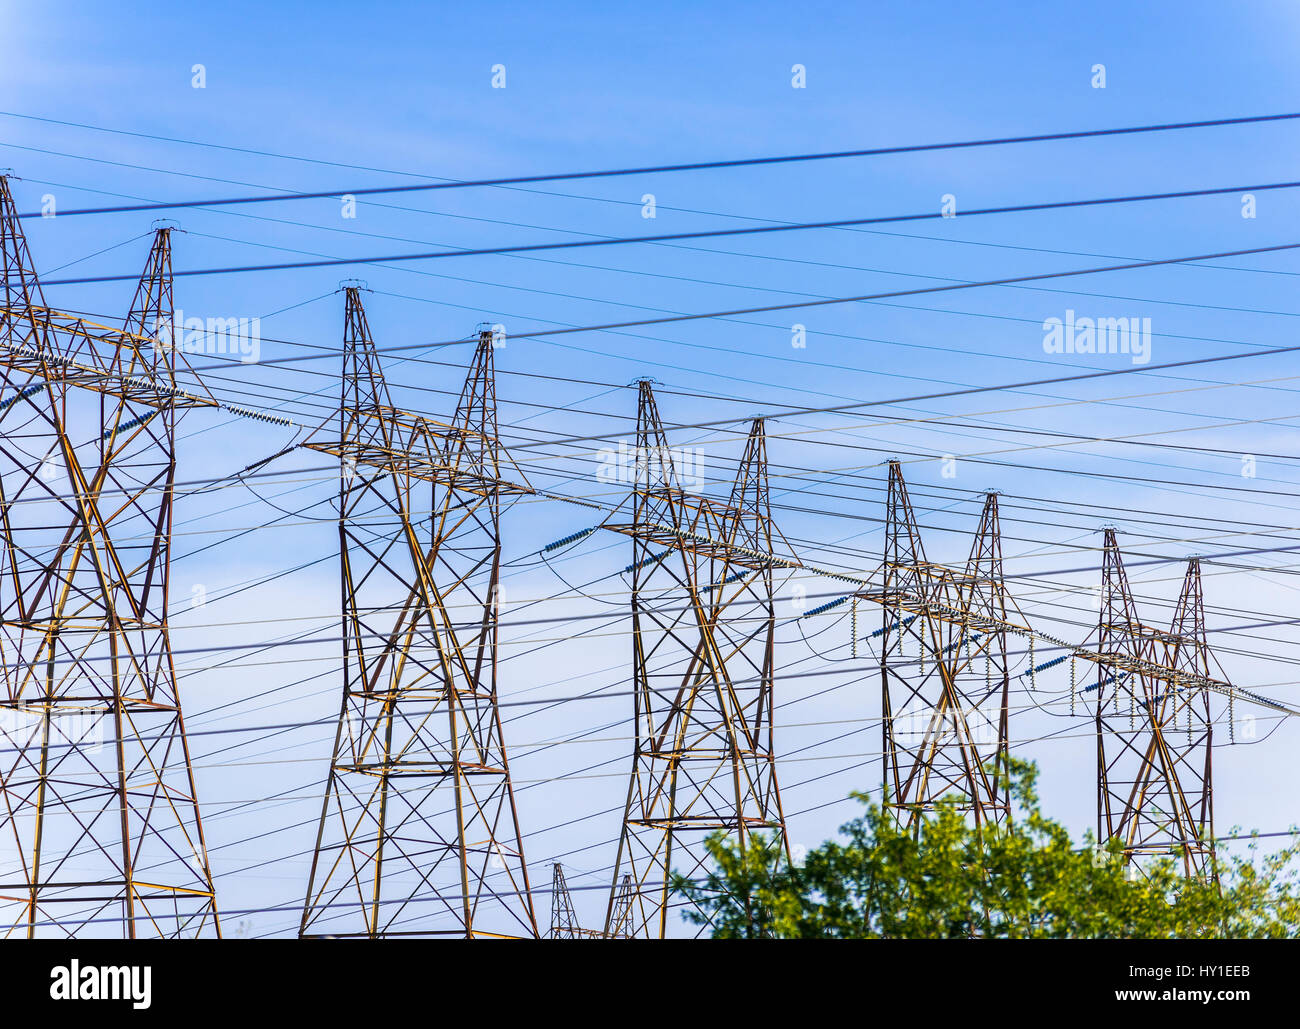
column 1155, row 732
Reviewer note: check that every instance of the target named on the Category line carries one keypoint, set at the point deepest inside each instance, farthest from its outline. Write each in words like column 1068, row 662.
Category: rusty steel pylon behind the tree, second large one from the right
column 944, row 674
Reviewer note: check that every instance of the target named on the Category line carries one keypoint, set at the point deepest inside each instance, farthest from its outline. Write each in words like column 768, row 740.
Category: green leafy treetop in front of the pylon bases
column 1028, row 880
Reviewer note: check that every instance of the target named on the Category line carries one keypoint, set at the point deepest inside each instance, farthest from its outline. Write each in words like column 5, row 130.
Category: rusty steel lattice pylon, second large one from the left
column 419, row 833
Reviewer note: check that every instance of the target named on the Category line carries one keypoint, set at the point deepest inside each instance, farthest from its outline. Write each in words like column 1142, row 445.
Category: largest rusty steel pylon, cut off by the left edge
column 101, row 832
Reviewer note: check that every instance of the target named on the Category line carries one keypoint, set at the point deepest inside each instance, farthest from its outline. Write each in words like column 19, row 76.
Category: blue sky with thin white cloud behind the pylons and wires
column 395, row 93
